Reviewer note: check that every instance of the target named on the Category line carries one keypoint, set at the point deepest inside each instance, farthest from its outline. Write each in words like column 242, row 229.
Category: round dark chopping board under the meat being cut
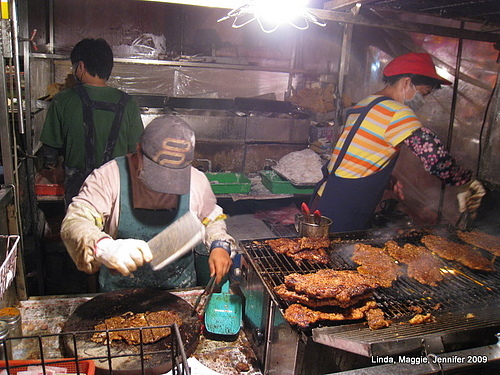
column 157, row 356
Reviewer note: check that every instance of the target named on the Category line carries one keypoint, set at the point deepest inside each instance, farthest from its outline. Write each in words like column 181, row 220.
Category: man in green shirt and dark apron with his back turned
column 90, row 123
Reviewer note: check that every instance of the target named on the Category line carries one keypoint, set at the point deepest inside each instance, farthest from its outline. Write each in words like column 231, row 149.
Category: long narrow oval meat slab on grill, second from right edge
column 454, row 251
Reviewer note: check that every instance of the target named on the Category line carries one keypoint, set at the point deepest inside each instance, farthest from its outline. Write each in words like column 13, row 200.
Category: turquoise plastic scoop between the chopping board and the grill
column 223, row 314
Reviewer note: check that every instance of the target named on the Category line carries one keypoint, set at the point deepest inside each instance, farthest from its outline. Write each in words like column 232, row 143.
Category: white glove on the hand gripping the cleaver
column 123, row 255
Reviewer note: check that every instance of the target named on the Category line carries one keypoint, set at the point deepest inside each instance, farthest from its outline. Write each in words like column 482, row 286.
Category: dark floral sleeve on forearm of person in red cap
column 435, row 158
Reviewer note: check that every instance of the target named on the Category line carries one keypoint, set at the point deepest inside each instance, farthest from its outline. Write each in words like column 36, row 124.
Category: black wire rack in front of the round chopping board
column 174, row 352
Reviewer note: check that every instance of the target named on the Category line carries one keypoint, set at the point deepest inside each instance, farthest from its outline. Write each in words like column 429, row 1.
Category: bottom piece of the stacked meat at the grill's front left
column 303, row 316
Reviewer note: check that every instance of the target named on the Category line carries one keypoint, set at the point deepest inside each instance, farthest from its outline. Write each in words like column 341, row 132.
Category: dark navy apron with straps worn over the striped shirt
column 350, row 202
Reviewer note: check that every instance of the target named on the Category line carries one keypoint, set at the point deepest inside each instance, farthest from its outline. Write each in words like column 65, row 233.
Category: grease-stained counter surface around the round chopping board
column 47, row 315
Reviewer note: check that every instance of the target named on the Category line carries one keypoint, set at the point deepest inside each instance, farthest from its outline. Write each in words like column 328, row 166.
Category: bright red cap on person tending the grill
column 414, row 63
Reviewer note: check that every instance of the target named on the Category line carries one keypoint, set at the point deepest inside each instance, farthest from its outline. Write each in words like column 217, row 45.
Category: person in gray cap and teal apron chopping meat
column 132, row 198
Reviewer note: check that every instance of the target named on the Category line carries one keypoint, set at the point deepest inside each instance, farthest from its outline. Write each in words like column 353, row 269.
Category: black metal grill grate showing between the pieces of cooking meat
column 463, row 287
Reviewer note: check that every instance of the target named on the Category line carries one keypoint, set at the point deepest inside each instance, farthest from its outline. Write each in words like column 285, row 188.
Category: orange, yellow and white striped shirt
column 386, row 125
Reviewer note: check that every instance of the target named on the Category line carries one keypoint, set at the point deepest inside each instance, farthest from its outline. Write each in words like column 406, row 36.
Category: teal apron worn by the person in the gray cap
column 144, row 224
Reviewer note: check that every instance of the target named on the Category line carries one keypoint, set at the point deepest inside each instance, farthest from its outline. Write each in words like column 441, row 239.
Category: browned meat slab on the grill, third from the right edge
column 421, row 264
